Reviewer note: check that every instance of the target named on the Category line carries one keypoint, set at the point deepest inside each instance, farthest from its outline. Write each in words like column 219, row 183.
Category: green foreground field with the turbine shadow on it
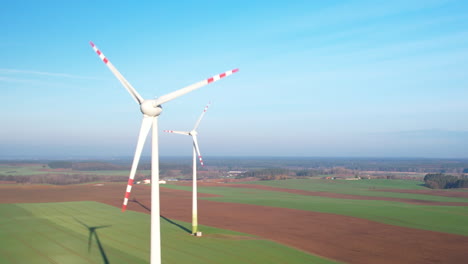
column 54, row 233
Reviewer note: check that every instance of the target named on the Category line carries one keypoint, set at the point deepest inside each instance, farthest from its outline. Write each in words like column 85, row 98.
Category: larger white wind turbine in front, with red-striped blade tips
column 151, row 109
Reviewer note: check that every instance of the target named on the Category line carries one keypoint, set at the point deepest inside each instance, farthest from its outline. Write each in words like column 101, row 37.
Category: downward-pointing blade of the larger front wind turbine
column 144, row 130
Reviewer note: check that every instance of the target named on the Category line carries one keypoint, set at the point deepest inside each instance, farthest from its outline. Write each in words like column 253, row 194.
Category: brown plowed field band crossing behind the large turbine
column 343, row 238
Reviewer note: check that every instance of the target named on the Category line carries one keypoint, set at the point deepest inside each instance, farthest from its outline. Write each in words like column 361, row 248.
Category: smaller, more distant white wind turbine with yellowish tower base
column 196, row 150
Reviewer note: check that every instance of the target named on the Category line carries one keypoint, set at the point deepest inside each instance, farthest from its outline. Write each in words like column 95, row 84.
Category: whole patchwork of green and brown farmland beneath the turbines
column 287, row 221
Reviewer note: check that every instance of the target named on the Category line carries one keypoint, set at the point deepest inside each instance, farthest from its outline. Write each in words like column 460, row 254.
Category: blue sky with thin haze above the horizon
column 317, row 78
